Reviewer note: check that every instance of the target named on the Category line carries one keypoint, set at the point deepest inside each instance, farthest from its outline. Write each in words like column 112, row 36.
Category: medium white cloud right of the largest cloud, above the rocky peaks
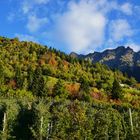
column 119, row 29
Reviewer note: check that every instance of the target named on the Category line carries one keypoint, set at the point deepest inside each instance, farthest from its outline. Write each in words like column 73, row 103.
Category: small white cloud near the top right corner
column 127, row 8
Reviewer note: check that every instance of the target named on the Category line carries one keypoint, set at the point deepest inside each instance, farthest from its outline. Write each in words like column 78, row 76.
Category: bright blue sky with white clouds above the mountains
column 82, row 26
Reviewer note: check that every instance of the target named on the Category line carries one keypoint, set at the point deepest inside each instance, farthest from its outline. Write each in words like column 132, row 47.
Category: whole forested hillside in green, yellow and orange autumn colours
column 46, row 94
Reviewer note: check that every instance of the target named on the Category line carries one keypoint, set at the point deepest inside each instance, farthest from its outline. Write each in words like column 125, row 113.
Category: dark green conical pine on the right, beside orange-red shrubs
column 116, row 90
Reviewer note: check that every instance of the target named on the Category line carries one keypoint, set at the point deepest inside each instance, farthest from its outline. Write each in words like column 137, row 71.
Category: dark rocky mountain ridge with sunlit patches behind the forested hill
column 124, row 59
